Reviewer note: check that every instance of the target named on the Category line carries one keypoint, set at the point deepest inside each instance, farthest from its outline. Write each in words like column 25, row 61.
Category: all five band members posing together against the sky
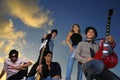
column 83, row 51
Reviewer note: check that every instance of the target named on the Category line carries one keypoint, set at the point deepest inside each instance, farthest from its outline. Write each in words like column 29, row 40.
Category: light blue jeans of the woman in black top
column 69, row 69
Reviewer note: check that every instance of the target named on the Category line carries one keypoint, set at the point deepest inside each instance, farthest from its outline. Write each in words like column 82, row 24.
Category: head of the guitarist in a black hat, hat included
column 91, row 33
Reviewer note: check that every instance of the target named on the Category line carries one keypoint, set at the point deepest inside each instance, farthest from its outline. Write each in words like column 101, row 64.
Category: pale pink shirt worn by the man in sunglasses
column 8, row 63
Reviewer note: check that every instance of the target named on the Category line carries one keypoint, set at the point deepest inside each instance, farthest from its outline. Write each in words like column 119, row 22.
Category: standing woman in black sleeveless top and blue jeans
column 72, row 39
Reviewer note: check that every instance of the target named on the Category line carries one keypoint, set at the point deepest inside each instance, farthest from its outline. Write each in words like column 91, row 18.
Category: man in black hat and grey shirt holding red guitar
column 85, row 53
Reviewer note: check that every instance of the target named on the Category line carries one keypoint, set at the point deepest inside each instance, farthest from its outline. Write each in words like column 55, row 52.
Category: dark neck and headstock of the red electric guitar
column 109, row 22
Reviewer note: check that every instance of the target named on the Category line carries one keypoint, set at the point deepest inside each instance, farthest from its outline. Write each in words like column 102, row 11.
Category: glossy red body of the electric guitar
column 109, row 60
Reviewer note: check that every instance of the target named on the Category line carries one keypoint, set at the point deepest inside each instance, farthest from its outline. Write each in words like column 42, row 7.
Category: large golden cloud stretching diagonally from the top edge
column 29, row 12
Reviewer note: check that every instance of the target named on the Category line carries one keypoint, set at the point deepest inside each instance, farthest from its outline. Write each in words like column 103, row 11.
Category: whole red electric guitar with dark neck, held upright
column 110, row 59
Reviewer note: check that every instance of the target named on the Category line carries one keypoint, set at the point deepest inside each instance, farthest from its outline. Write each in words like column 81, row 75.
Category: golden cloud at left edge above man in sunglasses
column 9, row 37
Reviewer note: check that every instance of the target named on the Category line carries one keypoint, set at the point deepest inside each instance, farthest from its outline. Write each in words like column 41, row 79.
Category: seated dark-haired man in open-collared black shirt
column 49, row 70
